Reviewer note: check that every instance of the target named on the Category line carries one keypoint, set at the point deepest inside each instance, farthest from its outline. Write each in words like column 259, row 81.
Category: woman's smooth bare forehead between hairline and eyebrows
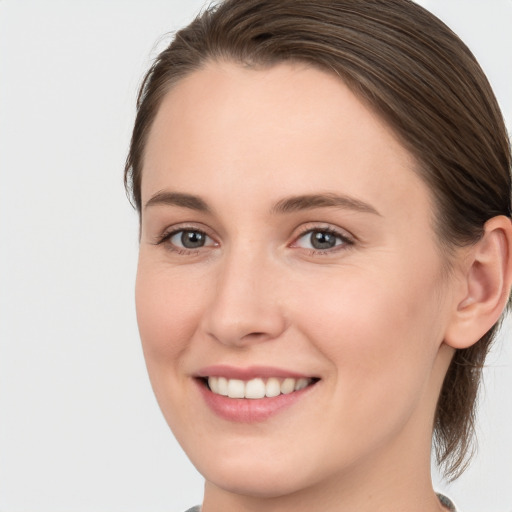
column 283, row 130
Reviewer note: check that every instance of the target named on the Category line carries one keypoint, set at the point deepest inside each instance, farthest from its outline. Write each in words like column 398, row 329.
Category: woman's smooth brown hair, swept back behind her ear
column 420, row 78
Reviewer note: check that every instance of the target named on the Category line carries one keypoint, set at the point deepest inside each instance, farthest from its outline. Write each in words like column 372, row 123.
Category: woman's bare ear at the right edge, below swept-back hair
column 485, row 287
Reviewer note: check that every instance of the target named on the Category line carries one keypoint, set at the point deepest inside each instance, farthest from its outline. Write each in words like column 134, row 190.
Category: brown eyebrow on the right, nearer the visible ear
column 312, row 201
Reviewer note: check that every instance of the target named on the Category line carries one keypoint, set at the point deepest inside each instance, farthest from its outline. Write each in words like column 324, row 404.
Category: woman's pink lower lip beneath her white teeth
column 248, row 410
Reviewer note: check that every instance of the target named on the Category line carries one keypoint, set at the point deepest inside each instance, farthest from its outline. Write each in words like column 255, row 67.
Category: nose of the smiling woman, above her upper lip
column 244, row 307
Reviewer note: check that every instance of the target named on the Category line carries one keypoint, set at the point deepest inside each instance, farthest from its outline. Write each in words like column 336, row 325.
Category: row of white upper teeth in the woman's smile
column 256, row 388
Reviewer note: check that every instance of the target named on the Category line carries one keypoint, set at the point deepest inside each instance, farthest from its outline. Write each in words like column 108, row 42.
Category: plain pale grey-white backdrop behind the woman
column 79, row 427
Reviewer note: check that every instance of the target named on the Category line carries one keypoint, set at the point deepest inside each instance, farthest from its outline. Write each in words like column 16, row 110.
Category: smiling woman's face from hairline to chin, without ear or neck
column 287, row 241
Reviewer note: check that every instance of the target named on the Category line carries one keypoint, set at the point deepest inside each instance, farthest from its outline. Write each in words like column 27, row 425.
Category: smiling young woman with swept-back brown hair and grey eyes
column 325, row 256
